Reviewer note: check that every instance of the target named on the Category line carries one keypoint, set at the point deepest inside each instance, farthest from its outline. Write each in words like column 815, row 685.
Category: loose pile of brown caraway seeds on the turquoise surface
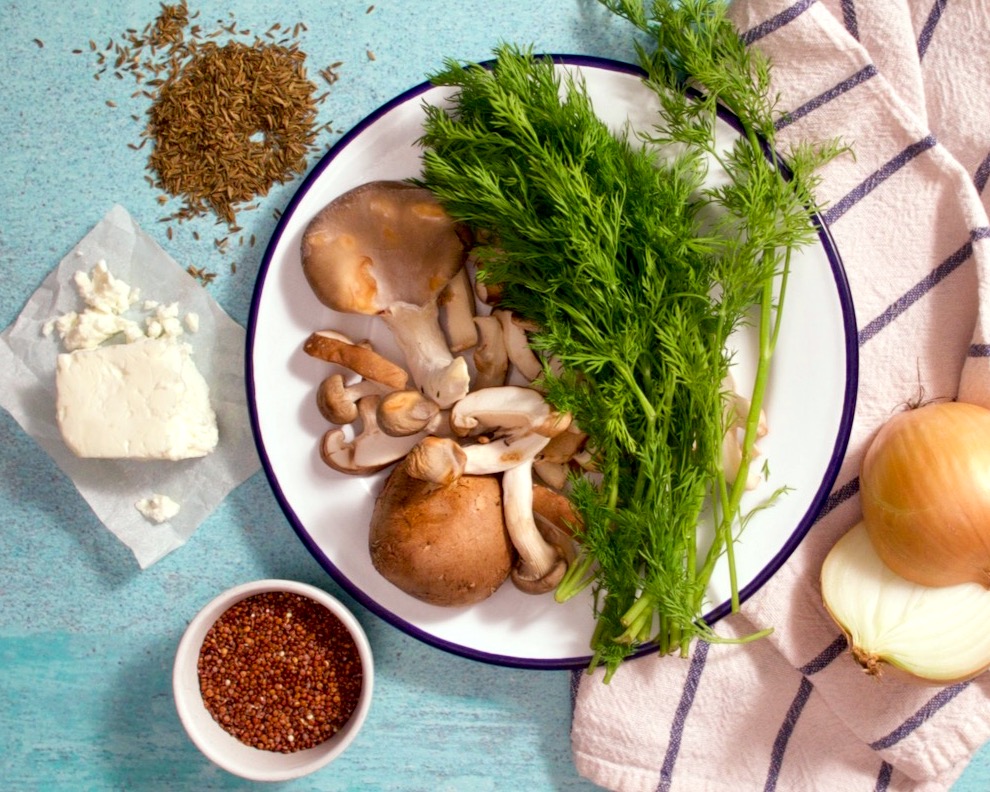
column 231, row 114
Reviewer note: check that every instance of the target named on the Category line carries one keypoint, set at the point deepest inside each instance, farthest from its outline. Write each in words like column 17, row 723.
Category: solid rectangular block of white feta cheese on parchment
column 143, row 400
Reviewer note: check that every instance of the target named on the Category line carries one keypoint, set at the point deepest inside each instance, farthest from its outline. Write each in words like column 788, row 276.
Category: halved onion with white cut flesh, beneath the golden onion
column 934, row 634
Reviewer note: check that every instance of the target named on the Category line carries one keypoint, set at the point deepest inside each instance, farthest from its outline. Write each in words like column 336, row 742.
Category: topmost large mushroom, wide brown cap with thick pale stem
column 388, row 248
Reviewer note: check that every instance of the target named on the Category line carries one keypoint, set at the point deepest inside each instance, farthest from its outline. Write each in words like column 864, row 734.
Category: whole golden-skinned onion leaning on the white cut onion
column 925, row 494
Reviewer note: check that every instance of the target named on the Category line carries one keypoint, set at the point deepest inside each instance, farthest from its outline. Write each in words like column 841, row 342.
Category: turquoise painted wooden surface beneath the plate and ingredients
column 86, row 638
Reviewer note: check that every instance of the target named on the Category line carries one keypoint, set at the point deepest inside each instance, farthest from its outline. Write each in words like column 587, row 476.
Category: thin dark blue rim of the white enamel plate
column 818, row 501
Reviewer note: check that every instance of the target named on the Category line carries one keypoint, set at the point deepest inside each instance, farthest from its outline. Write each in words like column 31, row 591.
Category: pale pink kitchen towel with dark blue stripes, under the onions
column 906, row 83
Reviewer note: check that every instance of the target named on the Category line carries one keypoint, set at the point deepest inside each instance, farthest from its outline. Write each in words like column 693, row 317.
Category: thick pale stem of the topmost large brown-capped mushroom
column 418, row 334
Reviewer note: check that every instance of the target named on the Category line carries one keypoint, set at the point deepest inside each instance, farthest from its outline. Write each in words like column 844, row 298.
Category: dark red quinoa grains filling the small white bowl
column 280, row 672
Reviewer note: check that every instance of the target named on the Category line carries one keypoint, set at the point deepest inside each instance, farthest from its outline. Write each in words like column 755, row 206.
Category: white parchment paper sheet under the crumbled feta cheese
column 112, row 487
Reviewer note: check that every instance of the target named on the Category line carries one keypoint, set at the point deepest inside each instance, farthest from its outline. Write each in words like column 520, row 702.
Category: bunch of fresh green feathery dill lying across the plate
column 636, row 273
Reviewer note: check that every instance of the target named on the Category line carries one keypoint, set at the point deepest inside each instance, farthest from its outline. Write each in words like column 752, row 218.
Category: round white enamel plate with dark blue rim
column 810, row 403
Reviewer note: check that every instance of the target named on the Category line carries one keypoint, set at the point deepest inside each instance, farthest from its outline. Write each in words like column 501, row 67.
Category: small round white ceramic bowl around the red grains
column 227, row 751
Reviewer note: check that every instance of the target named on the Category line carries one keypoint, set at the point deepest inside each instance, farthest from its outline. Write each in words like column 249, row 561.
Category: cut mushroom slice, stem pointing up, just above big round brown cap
column 371, row 449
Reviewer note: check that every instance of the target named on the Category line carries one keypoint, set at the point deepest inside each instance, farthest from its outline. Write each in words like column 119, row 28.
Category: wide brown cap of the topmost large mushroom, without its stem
column 381, row 243
